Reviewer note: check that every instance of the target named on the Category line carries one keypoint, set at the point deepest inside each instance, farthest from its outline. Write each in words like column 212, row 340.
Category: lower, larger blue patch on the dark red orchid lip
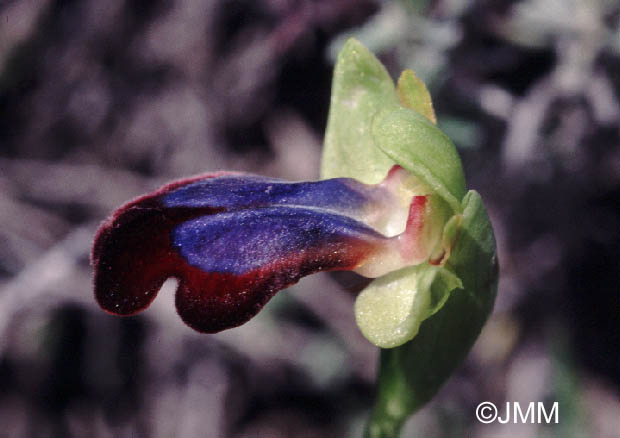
column 239, row 242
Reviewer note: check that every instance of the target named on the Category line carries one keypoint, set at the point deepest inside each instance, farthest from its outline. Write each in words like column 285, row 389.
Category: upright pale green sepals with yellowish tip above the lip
column 368, row 131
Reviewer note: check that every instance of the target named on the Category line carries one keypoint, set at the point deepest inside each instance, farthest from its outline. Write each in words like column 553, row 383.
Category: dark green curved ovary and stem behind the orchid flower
column 411, row 374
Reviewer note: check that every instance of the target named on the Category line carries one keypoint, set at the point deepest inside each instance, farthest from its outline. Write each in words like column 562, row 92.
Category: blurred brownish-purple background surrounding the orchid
column 103, row 100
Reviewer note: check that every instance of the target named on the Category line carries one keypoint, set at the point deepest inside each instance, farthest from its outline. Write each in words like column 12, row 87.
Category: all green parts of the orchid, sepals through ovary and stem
column 428, row 315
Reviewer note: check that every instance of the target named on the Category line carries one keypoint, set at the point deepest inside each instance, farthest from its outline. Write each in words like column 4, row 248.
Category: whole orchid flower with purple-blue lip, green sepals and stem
column 392, row 206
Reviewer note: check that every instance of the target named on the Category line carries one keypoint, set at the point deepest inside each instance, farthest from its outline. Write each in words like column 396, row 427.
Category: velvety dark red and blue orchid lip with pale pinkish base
column 234, row 240
